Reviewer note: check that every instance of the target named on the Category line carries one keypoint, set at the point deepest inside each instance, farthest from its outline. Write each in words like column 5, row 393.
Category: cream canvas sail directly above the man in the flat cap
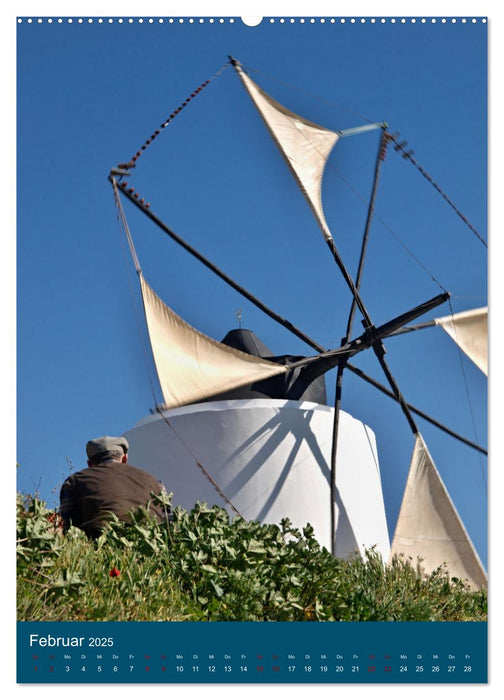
column 191, row 366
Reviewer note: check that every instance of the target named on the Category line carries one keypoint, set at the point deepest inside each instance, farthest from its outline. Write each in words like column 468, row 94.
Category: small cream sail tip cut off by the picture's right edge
column 469, row 329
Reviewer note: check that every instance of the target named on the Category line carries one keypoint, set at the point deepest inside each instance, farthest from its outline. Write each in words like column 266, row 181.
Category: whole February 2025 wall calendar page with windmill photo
column 252, row 349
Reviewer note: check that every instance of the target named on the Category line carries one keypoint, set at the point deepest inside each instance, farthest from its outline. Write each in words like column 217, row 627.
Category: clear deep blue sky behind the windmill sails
column 88, row 97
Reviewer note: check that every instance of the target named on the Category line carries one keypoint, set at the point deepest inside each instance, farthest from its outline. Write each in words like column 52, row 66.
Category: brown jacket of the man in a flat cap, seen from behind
column 88, row 497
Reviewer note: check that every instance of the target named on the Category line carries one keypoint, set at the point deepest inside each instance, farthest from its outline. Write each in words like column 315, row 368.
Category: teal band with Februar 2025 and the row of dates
column 252, row 652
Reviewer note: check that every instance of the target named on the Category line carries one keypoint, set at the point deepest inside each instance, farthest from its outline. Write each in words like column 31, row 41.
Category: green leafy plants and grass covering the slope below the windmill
column 200, row 566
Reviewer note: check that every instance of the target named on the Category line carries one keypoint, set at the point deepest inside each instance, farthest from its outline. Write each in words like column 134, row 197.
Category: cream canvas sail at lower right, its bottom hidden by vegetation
column 429, row 525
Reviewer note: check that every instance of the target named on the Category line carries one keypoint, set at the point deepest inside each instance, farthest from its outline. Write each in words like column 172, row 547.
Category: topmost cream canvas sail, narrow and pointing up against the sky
column 304, row 145
